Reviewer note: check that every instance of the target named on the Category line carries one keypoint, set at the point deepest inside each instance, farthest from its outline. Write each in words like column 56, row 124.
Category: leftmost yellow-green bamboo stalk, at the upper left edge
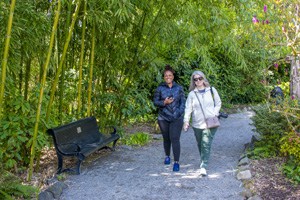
column 5, row 55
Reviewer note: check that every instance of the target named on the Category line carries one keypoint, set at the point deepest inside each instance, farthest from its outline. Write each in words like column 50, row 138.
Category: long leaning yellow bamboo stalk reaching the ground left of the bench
column 34, row 141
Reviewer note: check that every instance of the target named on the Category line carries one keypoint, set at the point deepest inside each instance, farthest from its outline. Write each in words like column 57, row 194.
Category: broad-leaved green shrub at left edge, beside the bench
column 17, row 129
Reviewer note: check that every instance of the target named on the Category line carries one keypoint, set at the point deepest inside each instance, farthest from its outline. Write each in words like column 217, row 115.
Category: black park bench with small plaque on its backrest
column 79, row 139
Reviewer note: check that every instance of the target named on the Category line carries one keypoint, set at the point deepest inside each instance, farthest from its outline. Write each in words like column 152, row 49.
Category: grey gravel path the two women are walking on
column 139, row 173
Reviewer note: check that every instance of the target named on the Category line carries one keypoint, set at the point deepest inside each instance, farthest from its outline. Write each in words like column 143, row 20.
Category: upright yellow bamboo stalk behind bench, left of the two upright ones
column 79, row 101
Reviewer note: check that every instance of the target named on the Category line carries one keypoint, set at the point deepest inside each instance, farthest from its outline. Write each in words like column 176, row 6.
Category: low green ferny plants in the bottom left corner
column 11, row 187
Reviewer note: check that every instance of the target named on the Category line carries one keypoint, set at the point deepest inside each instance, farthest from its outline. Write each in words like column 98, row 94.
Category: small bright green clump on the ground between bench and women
column 136, row 139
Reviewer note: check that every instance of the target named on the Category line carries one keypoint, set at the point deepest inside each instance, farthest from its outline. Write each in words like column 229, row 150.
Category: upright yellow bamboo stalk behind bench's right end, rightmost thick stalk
column 91, row 72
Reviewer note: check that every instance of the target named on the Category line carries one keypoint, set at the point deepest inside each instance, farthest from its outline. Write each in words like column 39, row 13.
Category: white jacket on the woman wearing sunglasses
column 192, row 107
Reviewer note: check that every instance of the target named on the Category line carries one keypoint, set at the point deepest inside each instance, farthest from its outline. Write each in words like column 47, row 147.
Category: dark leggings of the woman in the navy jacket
column 171, row 132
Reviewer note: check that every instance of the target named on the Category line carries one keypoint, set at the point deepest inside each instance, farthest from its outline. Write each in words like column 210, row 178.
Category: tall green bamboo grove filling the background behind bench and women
column 67, row 59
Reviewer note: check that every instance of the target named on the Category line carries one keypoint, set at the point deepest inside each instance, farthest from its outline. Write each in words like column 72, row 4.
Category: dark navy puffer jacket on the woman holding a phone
column 174, row 110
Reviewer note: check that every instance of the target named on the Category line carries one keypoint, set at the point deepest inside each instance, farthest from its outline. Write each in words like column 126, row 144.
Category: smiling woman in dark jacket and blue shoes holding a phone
column 169, row 98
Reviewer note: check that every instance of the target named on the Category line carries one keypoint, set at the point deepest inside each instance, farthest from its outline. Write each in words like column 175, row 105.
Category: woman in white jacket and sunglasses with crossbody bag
column 211, row 104
